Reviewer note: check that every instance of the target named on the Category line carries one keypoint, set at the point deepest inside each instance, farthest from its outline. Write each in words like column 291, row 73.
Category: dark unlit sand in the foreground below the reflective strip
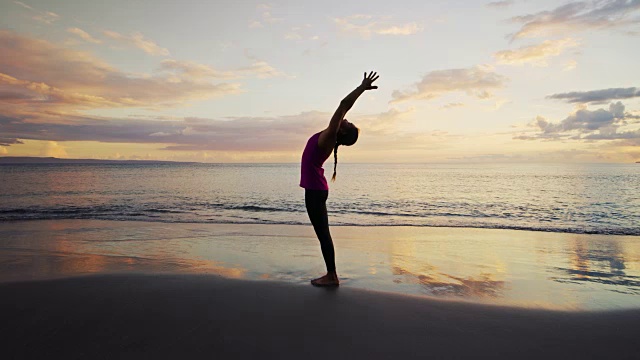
column 196, row 316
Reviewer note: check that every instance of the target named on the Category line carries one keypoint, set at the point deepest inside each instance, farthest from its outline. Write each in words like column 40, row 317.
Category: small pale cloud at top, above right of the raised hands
column 367, row 25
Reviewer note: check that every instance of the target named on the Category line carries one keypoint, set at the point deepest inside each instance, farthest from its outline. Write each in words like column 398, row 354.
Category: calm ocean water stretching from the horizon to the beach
column 569, row 198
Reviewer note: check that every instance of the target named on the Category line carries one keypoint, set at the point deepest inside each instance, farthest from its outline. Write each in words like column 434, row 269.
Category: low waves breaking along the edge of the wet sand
column 366, row 218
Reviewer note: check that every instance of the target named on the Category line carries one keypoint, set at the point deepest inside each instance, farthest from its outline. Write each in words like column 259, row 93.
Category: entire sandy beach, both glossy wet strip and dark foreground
column 110, row 289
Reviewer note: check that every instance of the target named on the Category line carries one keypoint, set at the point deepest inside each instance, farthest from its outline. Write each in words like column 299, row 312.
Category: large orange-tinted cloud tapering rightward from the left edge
column 36, row 73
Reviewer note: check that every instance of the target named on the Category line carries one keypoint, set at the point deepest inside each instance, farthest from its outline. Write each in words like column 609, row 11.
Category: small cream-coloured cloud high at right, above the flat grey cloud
column 534, row 54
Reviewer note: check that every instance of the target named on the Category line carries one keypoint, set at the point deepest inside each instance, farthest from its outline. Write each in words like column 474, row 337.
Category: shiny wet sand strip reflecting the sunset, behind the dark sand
column 488, row 266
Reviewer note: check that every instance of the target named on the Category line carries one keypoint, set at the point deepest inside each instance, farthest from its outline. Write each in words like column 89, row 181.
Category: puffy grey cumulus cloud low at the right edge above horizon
column 584, row 124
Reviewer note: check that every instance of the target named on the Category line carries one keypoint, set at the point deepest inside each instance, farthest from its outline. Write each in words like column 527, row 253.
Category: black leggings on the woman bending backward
column 316, row 203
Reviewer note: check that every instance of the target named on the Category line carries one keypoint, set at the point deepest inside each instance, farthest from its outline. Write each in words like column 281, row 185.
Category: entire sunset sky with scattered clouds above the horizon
column 250, row 81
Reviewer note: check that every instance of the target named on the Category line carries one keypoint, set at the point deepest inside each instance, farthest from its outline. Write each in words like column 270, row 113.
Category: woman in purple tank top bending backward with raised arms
column 319, row 147
